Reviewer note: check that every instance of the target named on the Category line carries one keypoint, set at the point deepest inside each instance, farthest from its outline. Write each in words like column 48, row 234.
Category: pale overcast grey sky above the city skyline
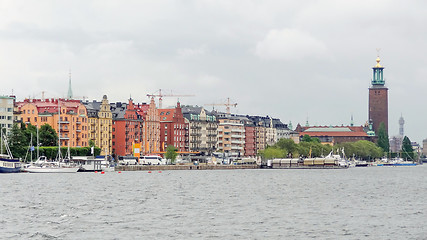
column 294, row 60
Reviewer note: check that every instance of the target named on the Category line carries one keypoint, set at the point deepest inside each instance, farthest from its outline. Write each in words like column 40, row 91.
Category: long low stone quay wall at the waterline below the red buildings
column 184, row 167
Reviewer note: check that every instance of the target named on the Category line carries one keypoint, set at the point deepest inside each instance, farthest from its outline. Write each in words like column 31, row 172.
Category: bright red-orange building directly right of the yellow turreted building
column 127, row 128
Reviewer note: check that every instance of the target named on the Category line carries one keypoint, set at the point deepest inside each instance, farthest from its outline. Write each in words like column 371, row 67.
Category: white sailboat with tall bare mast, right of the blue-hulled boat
column 43, row 165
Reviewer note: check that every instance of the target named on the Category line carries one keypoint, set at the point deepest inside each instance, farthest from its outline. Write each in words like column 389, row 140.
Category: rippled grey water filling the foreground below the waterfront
column 357, row 203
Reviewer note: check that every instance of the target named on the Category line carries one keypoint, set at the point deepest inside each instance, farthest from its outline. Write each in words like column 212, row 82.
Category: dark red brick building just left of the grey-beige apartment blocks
column 173, row 129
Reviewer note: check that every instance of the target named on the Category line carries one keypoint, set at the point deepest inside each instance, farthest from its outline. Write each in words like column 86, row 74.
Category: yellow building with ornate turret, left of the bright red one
column 100, row 124
